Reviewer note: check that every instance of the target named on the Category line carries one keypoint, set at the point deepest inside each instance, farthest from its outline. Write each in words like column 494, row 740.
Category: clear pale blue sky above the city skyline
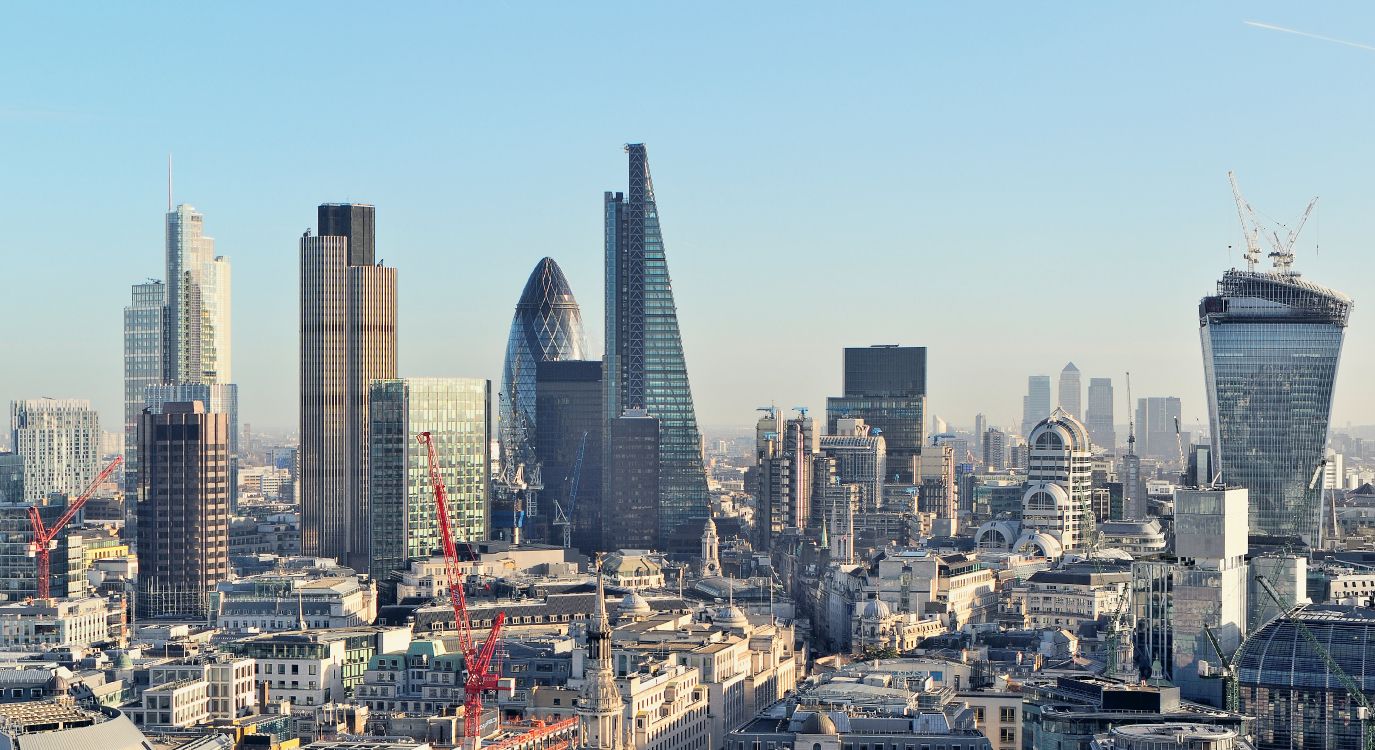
column 1011, row 185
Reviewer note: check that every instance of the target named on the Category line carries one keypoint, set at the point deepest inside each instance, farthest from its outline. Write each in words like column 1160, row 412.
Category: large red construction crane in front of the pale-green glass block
column 478, row 661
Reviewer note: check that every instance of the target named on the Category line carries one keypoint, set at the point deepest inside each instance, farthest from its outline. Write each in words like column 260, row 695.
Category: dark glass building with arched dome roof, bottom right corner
column 1289, row 689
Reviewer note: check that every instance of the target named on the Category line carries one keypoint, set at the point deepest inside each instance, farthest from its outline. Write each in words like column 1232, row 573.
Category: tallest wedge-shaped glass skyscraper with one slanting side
column 646, row 367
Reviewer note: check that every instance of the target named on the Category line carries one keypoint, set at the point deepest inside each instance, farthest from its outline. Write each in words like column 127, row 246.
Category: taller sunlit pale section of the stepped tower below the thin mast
column 197, row 302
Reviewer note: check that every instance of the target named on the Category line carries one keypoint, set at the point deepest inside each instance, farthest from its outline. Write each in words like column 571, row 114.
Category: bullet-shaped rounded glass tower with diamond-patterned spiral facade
column 548, row 327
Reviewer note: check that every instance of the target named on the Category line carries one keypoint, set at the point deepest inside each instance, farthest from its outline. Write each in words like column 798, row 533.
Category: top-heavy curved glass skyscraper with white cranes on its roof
column 1271, row 347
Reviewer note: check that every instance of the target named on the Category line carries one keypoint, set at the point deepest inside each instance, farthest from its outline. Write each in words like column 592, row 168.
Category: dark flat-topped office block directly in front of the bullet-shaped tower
column 569, row 437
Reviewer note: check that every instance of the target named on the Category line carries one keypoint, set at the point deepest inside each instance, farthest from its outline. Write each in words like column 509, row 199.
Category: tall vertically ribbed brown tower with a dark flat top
column 349, row 339
